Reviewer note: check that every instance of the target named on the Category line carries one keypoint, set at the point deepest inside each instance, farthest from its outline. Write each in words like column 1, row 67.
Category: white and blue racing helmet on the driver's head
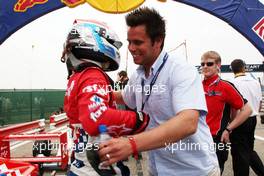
column 91, row 41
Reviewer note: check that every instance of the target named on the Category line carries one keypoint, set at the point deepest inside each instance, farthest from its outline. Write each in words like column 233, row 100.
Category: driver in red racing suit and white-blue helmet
column 91, row 48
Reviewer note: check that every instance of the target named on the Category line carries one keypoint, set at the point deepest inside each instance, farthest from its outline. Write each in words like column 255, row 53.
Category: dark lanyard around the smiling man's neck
column 152, row 81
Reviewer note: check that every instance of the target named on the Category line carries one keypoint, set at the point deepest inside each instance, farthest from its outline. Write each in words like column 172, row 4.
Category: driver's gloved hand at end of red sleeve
column 142, row 120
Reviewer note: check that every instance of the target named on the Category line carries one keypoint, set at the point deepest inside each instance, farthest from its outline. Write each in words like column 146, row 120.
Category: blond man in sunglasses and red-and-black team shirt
column 221, row 97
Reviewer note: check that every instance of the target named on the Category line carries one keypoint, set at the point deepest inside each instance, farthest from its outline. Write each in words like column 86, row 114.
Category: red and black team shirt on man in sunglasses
column 220, row 97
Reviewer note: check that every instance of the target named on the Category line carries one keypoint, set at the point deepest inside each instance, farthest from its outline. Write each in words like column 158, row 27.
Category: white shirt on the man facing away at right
column 251, row 90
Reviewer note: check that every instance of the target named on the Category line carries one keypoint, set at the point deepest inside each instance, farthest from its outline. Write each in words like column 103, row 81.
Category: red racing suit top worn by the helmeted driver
column 89, row 101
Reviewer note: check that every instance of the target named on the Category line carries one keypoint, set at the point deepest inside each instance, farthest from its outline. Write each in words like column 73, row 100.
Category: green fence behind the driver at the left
column 23, row 105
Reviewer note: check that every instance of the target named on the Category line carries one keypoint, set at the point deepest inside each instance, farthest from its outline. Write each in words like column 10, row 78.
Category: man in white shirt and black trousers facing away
column 242, row 138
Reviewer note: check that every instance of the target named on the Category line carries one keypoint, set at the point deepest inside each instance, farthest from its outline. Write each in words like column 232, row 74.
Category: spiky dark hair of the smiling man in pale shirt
column 154, row 23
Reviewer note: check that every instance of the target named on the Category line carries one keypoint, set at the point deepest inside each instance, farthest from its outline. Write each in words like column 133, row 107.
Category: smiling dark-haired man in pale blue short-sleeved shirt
column 178, row 139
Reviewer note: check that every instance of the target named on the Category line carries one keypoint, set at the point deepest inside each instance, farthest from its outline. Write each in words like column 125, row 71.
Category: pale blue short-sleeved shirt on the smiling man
column 178, row 87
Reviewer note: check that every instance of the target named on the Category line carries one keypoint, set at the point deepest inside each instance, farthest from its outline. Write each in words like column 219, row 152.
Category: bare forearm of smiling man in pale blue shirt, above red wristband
column 178, row 127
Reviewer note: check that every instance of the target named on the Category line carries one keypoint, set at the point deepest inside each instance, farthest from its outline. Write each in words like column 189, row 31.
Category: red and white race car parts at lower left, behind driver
column 41, row 158
